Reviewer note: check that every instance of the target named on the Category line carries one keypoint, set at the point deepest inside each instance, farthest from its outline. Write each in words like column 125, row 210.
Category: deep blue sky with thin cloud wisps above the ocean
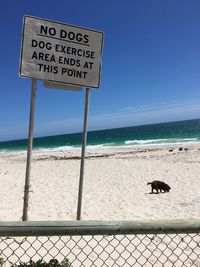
column 150, row 66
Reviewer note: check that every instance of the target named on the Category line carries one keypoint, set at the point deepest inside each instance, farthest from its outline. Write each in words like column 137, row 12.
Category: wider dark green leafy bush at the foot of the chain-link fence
column 41, row 263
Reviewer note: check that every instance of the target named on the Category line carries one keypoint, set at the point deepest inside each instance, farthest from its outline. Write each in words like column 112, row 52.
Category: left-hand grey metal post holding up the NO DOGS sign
column 29, row 152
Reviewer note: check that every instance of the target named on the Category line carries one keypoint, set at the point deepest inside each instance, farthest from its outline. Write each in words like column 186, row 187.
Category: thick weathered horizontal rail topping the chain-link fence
column 50, row 228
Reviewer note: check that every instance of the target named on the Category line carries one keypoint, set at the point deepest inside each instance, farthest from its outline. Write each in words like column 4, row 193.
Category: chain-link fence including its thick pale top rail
column 96, row 244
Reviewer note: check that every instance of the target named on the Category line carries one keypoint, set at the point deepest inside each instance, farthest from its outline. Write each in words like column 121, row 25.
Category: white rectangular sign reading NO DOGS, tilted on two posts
column 61, row 53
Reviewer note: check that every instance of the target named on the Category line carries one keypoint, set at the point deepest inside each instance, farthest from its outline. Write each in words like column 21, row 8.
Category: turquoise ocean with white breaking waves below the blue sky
column 174, row 133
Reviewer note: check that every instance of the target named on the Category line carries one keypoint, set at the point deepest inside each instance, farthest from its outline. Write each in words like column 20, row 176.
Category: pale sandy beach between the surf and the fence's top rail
column 115, row 184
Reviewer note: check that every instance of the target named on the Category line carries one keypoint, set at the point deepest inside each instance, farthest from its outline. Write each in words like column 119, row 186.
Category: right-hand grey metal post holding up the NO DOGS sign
column 84, row 141
